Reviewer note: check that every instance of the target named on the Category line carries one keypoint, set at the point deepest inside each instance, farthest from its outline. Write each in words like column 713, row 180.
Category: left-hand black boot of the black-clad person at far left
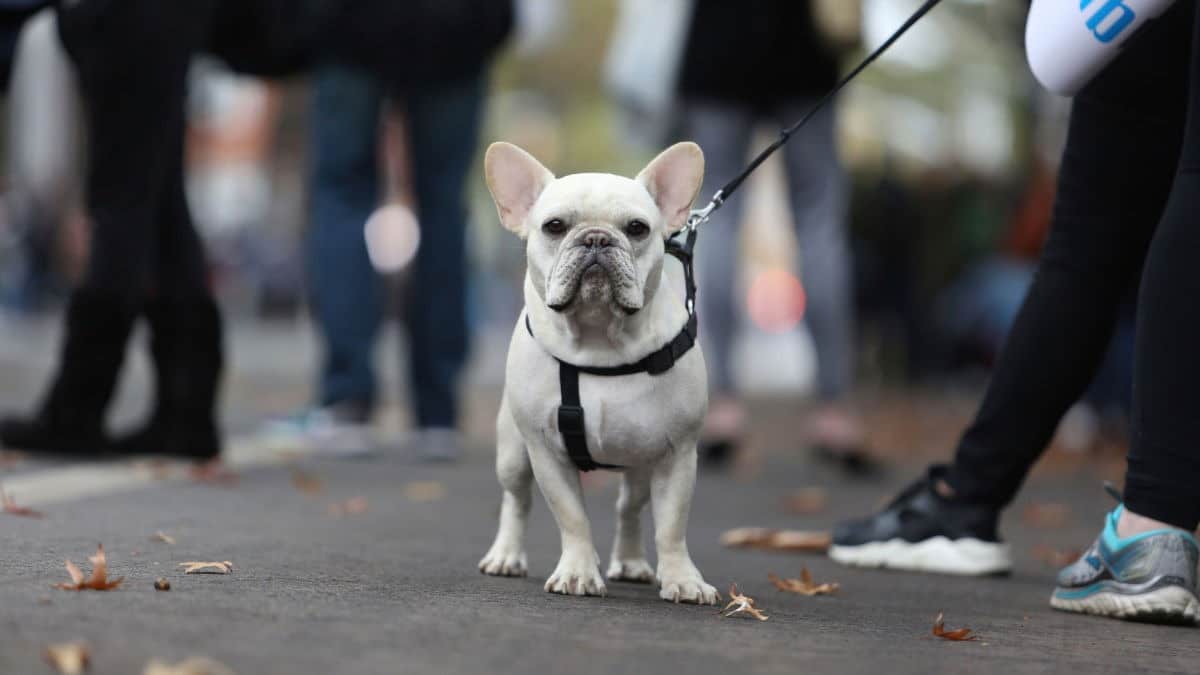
column 71, row 419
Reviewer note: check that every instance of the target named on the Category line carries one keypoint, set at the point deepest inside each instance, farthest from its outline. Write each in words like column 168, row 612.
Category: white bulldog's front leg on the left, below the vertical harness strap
column 579, row 571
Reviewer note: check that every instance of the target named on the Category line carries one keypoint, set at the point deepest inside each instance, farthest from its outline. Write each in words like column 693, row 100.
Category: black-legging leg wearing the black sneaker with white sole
column 1117, row 174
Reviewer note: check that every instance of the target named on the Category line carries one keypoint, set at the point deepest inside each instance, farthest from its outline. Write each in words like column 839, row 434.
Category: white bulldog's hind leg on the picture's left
column 507, row 558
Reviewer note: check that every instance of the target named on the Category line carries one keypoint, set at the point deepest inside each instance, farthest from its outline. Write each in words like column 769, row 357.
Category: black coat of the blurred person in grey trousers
column 755, row 52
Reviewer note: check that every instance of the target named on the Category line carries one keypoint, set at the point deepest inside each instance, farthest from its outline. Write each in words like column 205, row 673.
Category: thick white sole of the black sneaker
column 940, row 555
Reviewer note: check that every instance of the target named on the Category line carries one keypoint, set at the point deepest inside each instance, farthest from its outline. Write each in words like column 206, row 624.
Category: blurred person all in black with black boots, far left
column 131, row 61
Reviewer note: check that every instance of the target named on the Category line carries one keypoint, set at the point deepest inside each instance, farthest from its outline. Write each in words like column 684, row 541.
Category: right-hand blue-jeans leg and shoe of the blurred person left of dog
column 443, row 134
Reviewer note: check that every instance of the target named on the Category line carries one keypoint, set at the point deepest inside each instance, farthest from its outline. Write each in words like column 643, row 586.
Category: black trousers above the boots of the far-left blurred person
column 133, row 59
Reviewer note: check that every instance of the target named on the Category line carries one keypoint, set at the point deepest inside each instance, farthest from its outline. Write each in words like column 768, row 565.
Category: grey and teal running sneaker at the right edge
column 1150, row 577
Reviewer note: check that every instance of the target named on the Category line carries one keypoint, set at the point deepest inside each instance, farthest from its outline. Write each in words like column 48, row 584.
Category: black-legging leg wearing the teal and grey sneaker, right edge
column 1144, row 564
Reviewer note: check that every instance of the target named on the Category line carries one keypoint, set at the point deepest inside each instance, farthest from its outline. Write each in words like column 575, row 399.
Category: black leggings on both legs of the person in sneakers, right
column 1118, row 171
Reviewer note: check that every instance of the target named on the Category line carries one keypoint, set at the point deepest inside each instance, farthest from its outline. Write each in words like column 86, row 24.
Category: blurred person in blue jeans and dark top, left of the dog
column 442, row 101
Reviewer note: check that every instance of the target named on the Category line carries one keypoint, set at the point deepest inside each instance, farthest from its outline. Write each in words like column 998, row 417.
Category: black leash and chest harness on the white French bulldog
column 571, row 411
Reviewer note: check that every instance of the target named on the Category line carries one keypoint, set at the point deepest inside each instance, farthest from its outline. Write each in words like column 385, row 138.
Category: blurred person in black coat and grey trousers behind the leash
column 745, row 64
